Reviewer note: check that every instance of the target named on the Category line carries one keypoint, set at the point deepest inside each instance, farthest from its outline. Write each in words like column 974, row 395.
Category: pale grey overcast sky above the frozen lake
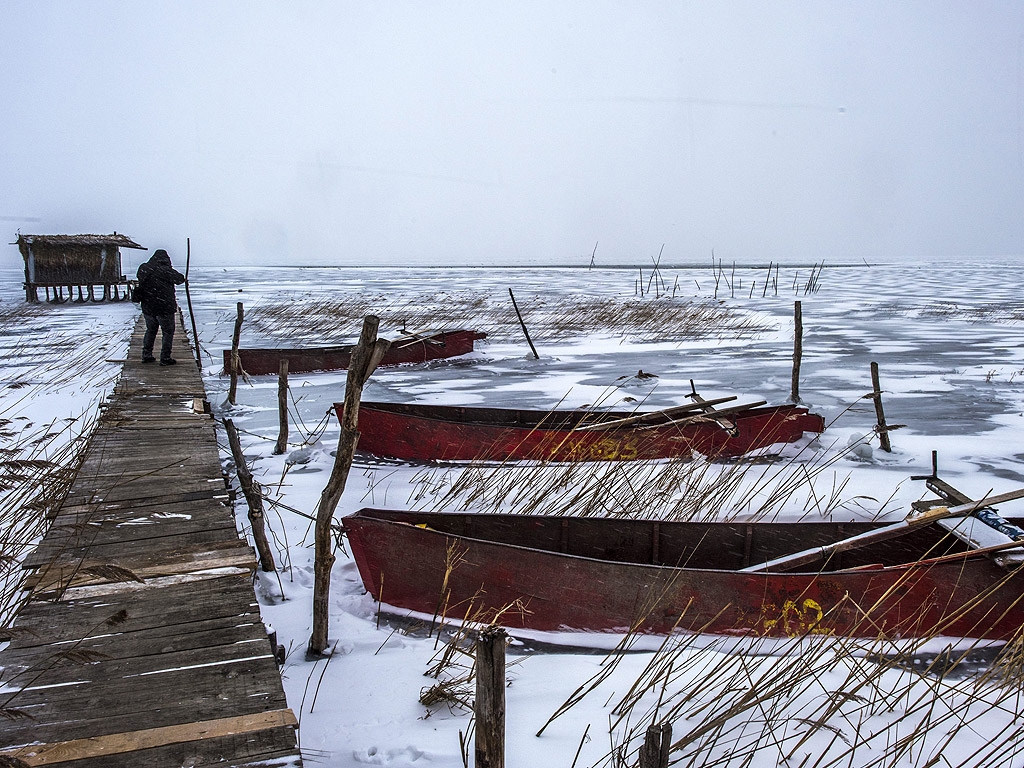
column 481, row 133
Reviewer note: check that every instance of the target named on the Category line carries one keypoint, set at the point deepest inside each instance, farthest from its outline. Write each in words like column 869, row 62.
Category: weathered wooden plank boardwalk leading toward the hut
column 142, row 644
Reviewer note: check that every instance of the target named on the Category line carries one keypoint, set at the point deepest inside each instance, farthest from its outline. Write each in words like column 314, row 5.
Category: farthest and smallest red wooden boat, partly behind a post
column 408, row 349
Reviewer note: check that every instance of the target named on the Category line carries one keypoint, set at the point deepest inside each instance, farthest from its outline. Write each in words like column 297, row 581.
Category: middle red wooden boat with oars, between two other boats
column 456, row 434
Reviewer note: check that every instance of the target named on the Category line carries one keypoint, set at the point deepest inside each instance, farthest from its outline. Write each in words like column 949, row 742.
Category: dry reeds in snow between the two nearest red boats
column 697, row 489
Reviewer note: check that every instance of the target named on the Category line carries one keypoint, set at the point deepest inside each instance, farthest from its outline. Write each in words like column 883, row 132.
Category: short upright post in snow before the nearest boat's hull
column 490, row 706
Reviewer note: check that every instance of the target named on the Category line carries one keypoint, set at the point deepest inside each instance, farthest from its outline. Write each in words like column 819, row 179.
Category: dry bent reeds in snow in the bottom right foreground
column 812, row 701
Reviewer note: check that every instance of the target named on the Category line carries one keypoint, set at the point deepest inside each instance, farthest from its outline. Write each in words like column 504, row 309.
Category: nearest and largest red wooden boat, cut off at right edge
column 609, row 575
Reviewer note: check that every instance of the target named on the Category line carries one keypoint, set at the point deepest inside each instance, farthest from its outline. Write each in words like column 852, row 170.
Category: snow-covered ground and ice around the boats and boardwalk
column 948, row 339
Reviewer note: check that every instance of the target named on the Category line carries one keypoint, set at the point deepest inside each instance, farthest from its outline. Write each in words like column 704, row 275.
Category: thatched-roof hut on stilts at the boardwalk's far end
column 66, row 261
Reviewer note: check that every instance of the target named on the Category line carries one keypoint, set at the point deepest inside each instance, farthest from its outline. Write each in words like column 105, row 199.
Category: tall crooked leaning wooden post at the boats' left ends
column 365, row 359
